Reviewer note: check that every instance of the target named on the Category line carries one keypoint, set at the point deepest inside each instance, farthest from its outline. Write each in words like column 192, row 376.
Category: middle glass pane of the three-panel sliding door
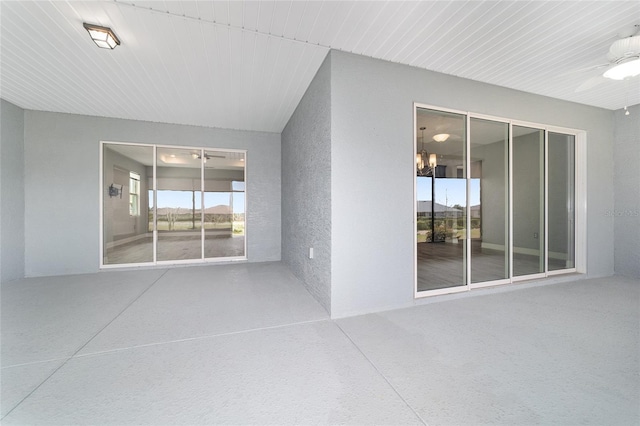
column 179, row 204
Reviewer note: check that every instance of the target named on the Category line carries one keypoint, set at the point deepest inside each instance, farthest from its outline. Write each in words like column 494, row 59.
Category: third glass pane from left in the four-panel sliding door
column 528, row 201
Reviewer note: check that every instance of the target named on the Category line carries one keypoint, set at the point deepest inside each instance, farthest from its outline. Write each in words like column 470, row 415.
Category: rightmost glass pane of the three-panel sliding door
column 224, row 208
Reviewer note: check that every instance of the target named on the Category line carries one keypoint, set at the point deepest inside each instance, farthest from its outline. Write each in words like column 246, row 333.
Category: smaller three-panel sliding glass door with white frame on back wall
column 169, row 204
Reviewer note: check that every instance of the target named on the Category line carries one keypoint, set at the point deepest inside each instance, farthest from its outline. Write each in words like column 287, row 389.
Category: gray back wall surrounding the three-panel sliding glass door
column 62, row 185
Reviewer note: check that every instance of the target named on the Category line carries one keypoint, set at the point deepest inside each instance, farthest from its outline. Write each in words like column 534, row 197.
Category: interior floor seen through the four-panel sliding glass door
column 441, row 265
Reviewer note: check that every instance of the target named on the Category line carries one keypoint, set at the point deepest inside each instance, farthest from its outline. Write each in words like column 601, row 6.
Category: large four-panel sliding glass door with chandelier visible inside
column 494, row 201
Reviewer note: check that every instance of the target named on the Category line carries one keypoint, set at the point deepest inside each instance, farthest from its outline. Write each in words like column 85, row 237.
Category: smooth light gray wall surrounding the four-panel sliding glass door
column 372, row 159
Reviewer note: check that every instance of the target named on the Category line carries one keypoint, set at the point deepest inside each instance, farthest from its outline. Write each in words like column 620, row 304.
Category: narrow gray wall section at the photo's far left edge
column 11, row 191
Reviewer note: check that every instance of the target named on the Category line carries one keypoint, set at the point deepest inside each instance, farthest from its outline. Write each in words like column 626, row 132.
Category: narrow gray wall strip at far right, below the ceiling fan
column 626, row 212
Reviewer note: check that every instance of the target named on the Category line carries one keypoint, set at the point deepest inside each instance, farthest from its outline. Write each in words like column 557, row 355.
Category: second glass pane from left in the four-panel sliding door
column 489, row 199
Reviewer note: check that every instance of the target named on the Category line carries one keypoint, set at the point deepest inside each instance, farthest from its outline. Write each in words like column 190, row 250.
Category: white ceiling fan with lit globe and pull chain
column 623, row 57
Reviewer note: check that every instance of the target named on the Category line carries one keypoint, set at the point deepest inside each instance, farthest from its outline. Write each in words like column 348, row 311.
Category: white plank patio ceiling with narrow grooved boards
column 245, row 65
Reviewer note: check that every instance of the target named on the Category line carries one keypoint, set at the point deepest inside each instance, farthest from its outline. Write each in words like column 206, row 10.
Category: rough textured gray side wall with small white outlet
column 306, row 188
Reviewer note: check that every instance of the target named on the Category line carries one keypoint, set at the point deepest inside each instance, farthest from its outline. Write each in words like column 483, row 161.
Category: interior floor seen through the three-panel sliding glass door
column 170, row 247
